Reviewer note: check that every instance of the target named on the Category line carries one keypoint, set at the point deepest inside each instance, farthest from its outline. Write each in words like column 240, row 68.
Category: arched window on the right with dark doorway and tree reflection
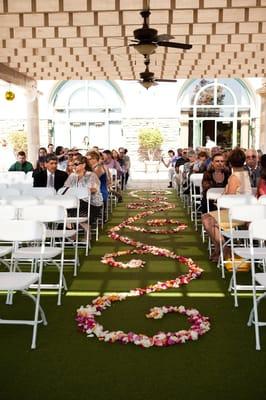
column 222, row 109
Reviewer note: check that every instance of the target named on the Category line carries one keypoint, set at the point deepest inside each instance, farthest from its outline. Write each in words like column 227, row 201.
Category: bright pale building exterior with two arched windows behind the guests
column 109, row 114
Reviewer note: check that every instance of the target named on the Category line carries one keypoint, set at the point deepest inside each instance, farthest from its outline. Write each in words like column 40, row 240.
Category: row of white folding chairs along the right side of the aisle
column 250, row 210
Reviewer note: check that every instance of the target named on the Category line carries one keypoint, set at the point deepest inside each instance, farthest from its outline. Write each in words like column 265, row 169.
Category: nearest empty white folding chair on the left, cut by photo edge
column 21, row 231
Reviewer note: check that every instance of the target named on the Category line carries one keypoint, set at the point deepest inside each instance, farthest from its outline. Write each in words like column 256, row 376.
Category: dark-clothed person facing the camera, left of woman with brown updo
column 216, row 176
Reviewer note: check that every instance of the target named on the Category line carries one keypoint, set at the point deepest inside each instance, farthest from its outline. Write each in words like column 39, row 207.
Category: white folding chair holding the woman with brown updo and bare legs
column 225, row 202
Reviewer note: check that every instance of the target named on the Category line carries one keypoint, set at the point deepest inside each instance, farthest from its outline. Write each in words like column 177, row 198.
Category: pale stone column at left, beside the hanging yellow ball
column 33, row 135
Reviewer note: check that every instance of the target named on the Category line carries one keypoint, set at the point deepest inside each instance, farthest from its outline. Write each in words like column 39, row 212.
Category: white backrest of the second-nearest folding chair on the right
column 247, row 213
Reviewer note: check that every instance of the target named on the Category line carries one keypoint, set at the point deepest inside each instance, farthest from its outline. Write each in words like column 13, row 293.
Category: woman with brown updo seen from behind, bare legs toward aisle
column 238, row 183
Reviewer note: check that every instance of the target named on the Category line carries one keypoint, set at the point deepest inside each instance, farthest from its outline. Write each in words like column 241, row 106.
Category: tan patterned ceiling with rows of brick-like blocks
column 88, row 39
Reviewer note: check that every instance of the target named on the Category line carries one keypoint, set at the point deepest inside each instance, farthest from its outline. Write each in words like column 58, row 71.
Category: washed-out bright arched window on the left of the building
column 86, row 114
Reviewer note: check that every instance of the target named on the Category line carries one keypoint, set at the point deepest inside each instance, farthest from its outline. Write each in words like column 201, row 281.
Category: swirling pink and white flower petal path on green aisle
column 86, row 316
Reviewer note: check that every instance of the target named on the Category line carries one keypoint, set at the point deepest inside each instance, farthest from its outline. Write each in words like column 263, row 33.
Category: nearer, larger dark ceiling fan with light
column 147, row 39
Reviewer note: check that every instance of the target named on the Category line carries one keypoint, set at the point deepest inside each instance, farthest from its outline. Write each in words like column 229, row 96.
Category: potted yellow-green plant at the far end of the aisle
column 150, row 141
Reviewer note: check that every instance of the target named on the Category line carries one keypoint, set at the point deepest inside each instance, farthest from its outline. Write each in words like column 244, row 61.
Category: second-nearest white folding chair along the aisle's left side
column 46, row 214
